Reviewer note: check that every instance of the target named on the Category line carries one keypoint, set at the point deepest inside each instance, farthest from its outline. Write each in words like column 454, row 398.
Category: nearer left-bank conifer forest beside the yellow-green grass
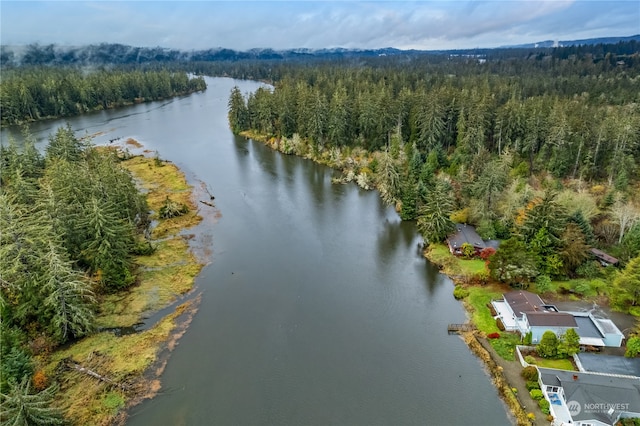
column 71, row 221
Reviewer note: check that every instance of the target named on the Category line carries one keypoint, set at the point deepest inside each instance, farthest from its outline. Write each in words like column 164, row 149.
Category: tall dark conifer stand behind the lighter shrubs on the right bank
column 580, row 125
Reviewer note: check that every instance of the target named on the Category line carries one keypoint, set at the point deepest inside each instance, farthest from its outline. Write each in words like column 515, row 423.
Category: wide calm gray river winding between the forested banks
column 317, row 307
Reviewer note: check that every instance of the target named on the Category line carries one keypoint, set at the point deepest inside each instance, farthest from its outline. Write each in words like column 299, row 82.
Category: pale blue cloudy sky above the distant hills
column 243, row 25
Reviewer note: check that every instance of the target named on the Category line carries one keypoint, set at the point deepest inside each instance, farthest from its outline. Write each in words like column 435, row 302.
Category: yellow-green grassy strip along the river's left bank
column 103, row 373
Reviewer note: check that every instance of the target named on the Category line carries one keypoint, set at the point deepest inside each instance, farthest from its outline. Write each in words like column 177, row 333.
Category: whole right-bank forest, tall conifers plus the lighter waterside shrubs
column 541, row 153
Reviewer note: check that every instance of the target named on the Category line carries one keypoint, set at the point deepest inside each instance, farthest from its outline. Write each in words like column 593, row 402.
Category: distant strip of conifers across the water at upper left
column 32, row 93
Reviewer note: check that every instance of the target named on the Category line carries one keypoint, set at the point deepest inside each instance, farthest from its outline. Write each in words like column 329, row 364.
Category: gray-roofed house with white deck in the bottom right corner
column 596, row 399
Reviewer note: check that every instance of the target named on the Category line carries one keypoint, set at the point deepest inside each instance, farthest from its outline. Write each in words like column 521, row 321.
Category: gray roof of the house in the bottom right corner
column 596, row 393
